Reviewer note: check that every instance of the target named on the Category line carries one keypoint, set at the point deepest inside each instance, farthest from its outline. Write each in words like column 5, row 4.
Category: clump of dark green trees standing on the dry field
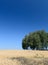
column 36, row 40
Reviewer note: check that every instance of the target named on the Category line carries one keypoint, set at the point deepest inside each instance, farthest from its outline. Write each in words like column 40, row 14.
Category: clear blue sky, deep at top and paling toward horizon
column 20, row 17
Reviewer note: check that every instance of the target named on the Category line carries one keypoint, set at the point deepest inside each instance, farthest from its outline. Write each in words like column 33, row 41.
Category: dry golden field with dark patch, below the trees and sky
column 23, row 57
